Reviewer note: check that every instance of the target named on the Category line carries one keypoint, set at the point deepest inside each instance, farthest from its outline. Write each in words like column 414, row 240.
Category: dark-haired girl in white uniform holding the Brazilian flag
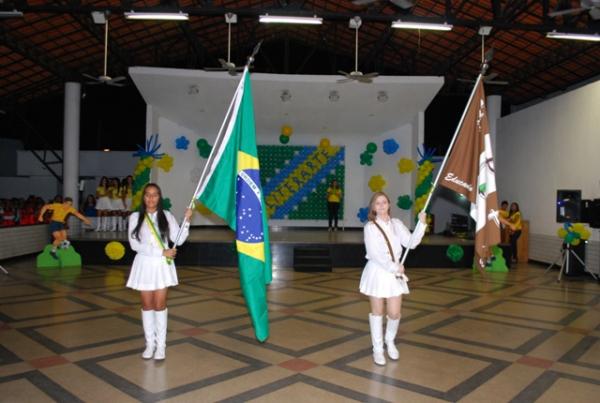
column 153, row 270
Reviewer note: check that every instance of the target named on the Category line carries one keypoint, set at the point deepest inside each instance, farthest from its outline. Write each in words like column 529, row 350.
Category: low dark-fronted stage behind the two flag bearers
column 215, row 246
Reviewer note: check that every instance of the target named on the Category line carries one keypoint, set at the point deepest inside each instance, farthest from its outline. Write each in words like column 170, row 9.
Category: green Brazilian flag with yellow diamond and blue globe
column 233, row 192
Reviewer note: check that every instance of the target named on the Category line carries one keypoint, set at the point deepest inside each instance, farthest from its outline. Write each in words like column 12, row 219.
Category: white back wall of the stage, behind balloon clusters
column 180, row 182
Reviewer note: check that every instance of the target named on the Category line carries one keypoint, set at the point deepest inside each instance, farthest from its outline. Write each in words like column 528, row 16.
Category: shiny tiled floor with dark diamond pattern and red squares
column 75, row 335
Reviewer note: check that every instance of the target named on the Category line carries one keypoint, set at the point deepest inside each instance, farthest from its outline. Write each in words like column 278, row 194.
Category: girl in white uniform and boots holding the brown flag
column 383, row 278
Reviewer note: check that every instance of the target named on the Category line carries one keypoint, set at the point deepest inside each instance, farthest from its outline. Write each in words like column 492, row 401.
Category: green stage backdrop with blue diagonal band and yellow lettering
column 295, row 179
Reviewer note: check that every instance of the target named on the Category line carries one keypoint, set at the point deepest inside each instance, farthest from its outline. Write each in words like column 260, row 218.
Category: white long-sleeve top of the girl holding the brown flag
column 399, row 237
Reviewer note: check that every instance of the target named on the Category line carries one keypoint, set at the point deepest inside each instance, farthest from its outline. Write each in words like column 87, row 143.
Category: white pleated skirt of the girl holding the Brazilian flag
column 150, row 273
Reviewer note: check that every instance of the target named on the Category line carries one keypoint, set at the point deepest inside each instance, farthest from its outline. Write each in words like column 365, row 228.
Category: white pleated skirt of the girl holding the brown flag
column 378, row 282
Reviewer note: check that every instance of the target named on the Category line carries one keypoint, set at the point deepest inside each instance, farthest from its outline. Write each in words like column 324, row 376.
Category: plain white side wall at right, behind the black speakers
column 550, row 146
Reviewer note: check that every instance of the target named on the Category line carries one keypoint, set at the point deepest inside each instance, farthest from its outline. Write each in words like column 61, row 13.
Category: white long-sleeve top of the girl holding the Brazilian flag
column 148, row 245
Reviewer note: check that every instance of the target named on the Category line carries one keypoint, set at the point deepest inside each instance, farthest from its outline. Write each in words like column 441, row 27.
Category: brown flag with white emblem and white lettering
column 469, row 170
